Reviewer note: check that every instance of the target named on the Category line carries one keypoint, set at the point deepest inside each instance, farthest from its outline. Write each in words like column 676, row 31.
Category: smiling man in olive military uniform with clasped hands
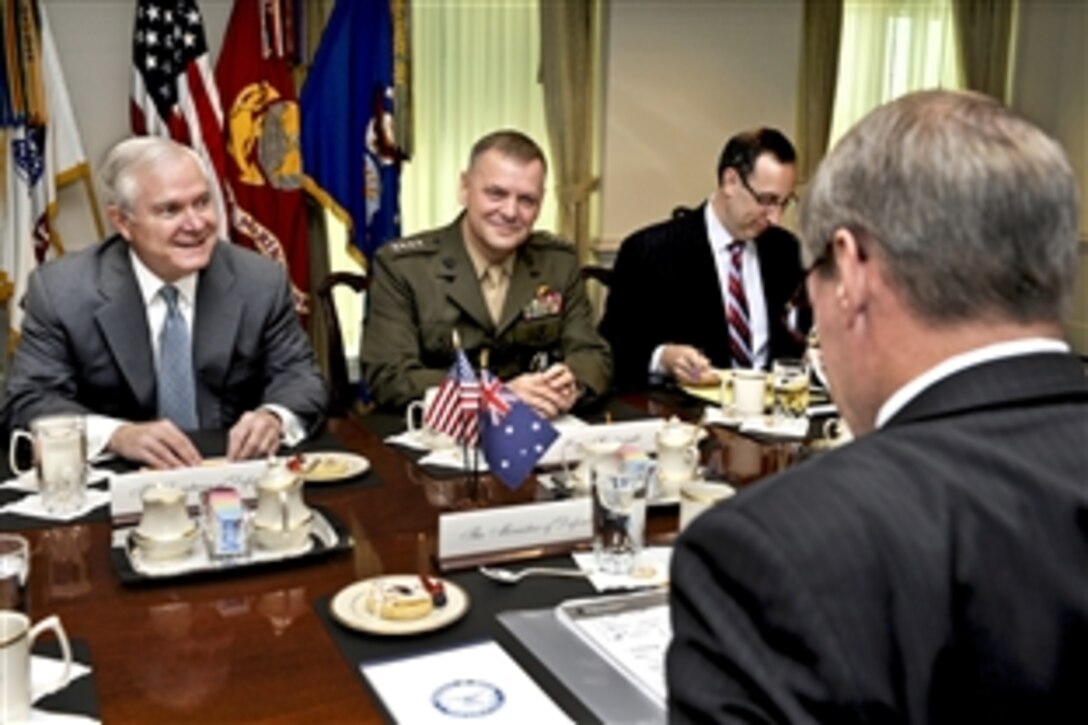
column 502, row 287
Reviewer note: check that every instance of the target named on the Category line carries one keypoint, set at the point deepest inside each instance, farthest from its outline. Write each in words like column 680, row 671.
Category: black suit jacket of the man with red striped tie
column 665, row 289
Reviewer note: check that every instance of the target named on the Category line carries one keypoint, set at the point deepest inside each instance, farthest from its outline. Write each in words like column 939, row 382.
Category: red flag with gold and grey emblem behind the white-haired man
column 264, row 161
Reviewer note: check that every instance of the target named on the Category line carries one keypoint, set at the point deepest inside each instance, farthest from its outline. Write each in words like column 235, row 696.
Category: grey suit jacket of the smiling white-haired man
column 86, row 349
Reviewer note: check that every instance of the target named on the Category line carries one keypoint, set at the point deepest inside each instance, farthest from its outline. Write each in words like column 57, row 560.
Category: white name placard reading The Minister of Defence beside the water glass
column 510, row 529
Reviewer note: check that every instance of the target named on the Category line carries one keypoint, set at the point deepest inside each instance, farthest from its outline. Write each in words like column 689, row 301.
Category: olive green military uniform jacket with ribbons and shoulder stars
column 426, row 287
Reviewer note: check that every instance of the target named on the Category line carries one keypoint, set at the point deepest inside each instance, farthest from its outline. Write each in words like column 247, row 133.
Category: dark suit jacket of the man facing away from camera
column 933, row 572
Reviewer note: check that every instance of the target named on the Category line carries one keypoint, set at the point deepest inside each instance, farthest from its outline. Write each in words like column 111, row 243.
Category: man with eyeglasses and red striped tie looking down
column 712, row 288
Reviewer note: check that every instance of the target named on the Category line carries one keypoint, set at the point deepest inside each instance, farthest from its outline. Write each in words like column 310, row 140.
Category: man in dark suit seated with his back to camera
column 934, row 570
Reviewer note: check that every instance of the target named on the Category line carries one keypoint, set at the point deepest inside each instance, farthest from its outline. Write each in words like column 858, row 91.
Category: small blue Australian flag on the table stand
column 513, row 436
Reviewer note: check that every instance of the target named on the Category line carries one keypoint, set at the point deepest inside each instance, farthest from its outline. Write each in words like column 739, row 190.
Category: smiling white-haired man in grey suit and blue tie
column 97, row 325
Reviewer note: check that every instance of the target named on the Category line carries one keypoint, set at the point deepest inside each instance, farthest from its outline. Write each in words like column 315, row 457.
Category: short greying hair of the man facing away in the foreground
column 972, row 208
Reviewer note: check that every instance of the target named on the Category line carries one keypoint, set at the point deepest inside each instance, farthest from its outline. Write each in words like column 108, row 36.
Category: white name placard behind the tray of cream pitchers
column 126, row 489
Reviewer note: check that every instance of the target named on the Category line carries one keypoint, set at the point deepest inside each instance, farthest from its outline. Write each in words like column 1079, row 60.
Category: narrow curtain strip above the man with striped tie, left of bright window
column 821, row 38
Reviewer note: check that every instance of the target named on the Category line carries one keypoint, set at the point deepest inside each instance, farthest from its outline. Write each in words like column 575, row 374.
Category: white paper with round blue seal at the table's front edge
column 479, row 682
